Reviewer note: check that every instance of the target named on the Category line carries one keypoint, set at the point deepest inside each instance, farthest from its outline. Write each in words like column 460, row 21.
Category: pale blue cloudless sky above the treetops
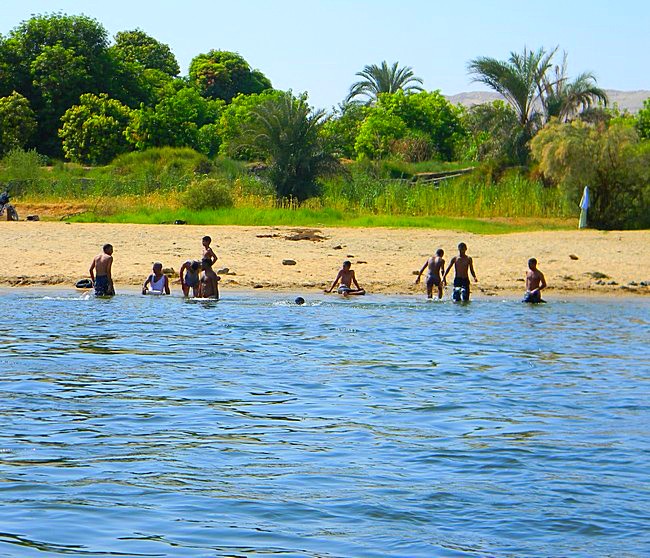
column 318, row 45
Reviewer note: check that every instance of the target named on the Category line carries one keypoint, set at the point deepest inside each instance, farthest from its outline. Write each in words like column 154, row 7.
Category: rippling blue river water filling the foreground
column 377, row 426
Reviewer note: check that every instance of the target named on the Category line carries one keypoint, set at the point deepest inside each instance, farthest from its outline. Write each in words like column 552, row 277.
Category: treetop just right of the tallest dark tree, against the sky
column 138, row 47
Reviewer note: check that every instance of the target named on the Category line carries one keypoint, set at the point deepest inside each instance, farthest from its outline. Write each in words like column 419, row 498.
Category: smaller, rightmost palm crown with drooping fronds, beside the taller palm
column 564, row 99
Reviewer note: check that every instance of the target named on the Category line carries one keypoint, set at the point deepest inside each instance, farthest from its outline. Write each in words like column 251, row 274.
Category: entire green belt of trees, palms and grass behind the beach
column 113, row 126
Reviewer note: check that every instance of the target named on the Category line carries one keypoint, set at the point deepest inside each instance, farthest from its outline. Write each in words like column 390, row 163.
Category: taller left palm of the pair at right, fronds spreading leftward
column 520, row 80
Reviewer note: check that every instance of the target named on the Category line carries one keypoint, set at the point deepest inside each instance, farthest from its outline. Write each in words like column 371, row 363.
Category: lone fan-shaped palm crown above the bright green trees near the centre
column 382, row 79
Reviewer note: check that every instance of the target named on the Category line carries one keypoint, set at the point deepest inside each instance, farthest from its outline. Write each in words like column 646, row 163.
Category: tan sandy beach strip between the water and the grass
column 53, row 253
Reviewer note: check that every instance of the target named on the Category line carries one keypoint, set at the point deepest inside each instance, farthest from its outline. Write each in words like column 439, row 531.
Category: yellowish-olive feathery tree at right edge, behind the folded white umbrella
column 611, row 160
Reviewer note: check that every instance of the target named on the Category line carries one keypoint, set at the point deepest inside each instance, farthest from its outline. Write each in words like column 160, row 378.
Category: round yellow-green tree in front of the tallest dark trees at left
column 93, row 132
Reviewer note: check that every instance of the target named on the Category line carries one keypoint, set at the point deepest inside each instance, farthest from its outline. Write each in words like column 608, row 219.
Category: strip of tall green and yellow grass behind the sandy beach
column 161, row 185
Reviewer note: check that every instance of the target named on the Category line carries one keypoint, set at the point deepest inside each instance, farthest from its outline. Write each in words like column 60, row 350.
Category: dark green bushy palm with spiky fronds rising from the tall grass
column 288, row 132
